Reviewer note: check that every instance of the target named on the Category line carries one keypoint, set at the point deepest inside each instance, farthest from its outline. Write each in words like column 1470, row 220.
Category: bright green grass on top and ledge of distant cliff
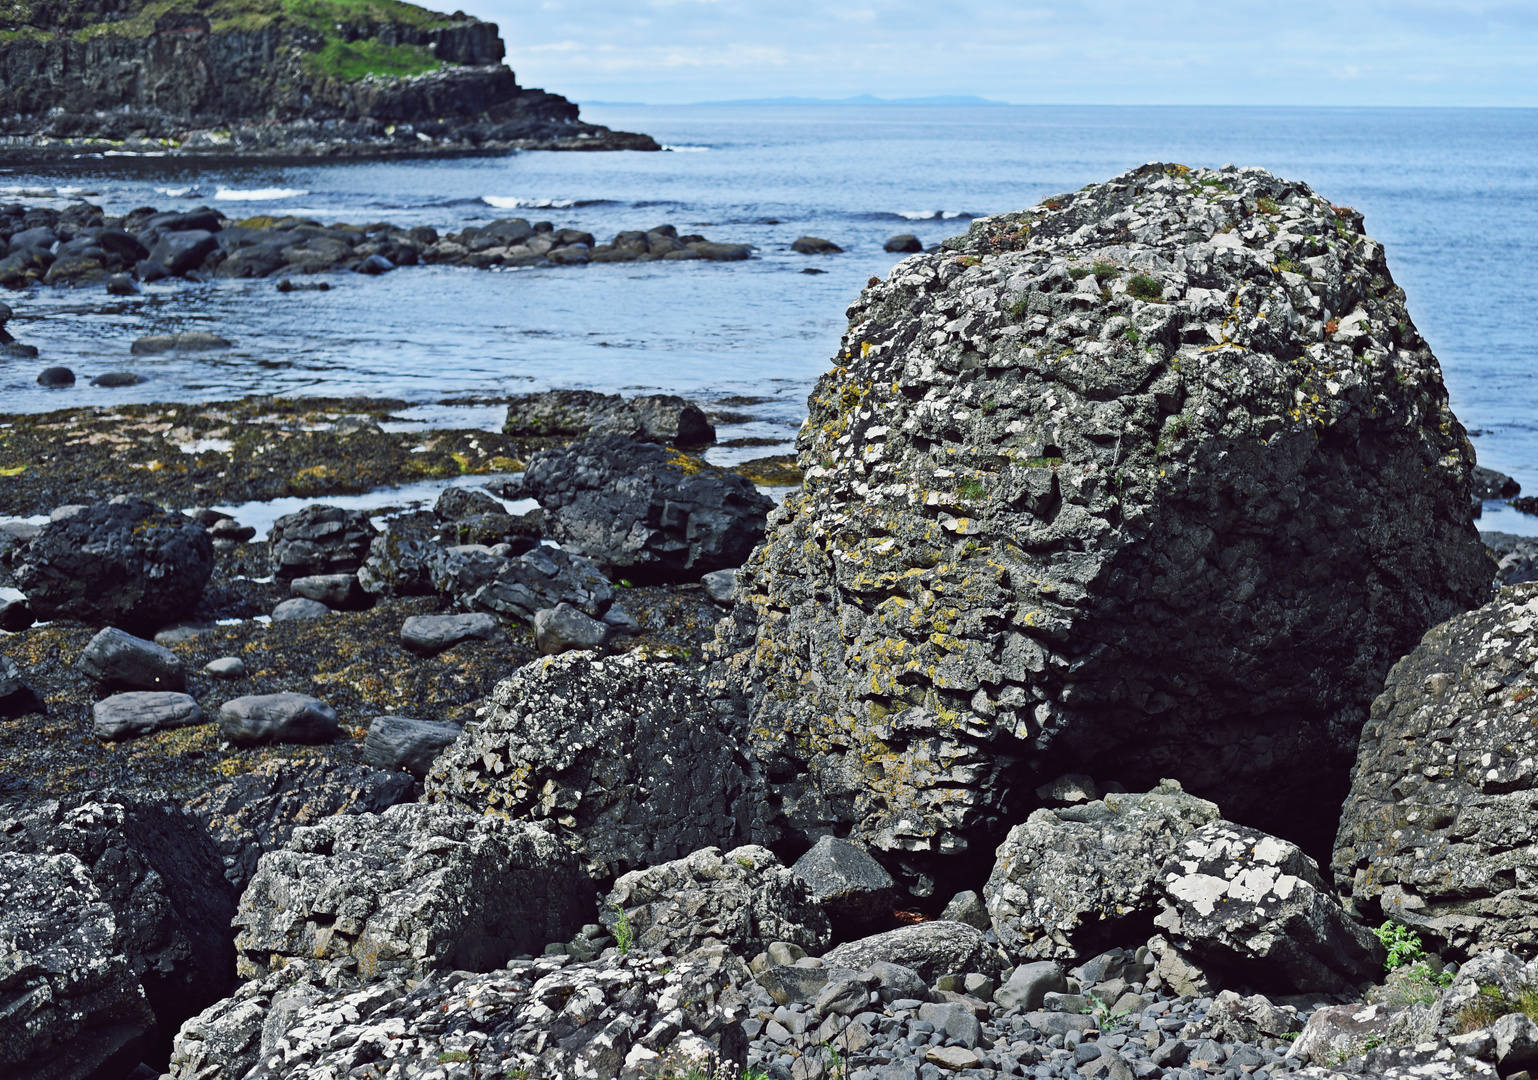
column 336, row 59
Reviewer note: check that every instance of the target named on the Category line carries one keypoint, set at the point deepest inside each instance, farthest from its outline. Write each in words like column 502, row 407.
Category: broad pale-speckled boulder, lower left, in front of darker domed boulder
column 418, row 888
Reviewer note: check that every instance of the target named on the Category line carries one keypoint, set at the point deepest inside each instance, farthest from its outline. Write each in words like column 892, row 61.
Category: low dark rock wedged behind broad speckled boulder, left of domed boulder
column 259, row 812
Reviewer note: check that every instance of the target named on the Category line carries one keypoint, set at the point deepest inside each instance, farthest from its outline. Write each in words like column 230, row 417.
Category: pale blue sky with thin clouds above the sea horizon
column 1027, row 53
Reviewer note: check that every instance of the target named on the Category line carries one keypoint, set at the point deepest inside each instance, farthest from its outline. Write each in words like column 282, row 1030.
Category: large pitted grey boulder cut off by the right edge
column 1439, row 830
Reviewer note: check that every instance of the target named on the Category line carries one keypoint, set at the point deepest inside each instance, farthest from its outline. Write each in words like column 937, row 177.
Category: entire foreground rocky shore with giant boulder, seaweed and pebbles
column 1133, row 538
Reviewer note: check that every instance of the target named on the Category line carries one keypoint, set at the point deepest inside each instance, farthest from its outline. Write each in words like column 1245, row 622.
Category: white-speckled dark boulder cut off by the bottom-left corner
column 76, row 1008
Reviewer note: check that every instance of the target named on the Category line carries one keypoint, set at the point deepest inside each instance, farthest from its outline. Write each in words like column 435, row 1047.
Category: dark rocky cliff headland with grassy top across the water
column 270, row 78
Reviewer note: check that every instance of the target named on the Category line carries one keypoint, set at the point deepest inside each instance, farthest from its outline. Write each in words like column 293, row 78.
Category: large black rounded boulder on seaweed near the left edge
column 124, row 562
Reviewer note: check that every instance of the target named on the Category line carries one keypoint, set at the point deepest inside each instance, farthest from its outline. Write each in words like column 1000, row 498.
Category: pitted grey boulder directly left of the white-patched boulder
column 1064, row 879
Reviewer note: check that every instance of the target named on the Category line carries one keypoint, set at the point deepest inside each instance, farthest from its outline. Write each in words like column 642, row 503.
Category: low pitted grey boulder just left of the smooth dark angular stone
column 742, row 899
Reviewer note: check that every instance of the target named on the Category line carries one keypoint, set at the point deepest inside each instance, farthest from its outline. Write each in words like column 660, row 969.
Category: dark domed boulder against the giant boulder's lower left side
column 621, row 756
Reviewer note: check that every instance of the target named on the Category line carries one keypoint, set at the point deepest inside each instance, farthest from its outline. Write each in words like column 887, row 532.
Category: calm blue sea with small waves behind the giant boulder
column 1451, row 193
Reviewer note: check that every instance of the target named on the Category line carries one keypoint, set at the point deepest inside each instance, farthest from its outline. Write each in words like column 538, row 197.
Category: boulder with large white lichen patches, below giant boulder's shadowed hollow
column 1245, row 901
